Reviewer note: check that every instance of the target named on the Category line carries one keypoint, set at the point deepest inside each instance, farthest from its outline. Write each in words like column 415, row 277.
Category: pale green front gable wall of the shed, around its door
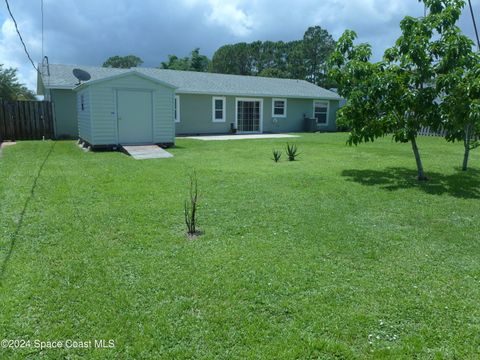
column 104, row 109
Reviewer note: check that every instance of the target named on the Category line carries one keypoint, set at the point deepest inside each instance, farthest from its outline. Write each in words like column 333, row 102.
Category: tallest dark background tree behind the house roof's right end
column 318, row 45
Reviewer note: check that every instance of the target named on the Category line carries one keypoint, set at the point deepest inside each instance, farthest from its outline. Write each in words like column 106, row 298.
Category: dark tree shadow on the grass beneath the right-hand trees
column 465, row 185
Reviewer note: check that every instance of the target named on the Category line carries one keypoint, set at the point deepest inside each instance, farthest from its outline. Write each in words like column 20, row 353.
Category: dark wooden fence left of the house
column 26, row 120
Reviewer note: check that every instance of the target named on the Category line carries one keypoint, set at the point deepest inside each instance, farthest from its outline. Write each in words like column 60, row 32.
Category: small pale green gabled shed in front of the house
column 130, row 108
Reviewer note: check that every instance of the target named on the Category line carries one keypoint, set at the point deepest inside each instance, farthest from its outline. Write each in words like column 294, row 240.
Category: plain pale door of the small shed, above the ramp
column 134, row 114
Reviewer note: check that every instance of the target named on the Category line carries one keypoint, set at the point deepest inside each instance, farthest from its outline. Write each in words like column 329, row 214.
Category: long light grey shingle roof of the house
column 197, row 82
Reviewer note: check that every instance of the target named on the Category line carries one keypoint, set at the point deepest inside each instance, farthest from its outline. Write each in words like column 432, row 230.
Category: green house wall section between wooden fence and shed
column 64, row 102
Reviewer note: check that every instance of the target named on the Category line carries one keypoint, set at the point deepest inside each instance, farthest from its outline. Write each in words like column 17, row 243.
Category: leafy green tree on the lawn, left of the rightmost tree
column 390, row 97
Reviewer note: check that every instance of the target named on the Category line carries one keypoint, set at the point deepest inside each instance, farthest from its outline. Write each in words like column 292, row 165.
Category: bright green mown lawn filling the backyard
column 341, row 254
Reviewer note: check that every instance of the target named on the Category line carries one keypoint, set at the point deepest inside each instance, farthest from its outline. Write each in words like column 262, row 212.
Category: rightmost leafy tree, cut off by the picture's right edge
column 458, row 83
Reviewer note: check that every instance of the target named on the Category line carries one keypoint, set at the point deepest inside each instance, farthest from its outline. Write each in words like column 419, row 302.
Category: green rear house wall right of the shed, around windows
column 196, row 115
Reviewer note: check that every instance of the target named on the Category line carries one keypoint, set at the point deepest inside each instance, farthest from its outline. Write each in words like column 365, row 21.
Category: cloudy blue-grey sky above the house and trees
column 87, row 32
